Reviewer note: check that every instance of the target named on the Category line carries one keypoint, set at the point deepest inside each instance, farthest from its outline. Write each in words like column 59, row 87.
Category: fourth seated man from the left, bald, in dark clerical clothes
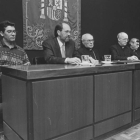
column 121, row 51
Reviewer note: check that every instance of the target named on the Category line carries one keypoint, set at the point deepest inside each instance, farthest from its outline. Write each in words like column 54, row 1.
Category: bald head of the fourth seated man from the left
column 122, row 39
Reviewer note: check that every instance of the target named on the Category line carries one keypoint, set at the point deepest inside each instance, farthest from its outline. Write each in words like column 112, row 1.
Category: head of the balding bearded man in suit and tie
column 63, row 32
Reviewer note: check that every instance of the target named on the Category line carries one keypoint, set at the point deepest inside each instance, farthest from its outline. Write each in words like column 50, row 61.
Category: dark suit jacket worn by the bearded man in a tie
column 52, row 52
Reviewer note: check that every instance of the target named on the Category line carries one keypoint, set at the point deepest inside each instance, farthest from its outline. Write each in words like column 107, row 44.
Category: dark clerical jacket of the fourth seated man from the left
column 119, row 53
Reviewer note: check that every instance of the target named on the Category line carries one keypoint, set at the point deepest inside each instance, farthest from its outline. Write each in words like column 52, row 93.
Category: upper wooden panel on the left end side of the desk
column 14, row 105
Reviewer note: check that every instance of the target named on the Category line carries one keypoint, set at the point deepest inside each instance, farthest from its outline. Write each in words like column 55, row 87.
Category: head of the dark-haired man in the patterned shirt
column 7, row 31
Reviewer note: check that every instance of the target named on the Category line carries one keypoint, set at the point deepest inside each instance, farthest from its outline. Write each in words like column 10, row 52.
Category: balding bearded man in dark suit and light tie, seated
column 61, row 49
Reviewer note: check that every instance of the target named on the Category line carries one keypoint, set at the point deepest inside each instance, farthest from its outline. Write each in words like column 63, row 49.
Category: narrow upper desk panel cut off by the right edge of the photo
column 136, row 85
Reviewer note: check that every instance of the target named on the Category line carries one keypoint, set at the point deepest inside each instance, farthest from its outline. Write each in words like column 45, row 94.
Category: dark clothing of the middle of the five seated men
column 91, row 52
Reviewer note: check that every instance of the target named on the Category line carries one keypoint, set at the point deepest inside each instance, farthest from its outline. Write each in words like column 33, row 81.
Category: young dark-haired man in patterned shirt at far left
column 10, row 53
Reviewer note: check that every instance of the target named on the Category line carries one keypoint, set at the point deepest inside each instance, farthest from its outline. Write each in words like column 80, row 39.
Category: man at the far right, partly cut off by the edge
column 134, row 45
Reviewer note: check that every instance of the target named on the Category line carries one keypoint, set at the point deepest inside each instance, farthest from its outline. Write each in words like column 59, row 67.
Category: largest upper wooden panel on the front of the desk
column 62, row 105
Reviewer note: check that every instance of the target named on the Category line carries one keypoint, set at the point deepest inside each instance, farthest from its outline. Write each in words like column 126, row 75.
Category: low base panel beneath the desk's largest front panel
column 84, row 134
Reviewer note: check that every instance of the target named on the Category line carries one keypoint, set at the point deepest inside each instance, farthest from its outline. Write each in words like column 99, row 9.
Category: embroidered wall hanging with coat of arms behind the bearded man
column 41, row 16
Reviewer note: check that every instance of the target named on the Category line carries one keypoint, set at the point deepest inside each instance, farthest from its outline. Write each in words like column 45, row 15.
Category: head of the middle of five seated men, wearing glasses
column 88, row 40
